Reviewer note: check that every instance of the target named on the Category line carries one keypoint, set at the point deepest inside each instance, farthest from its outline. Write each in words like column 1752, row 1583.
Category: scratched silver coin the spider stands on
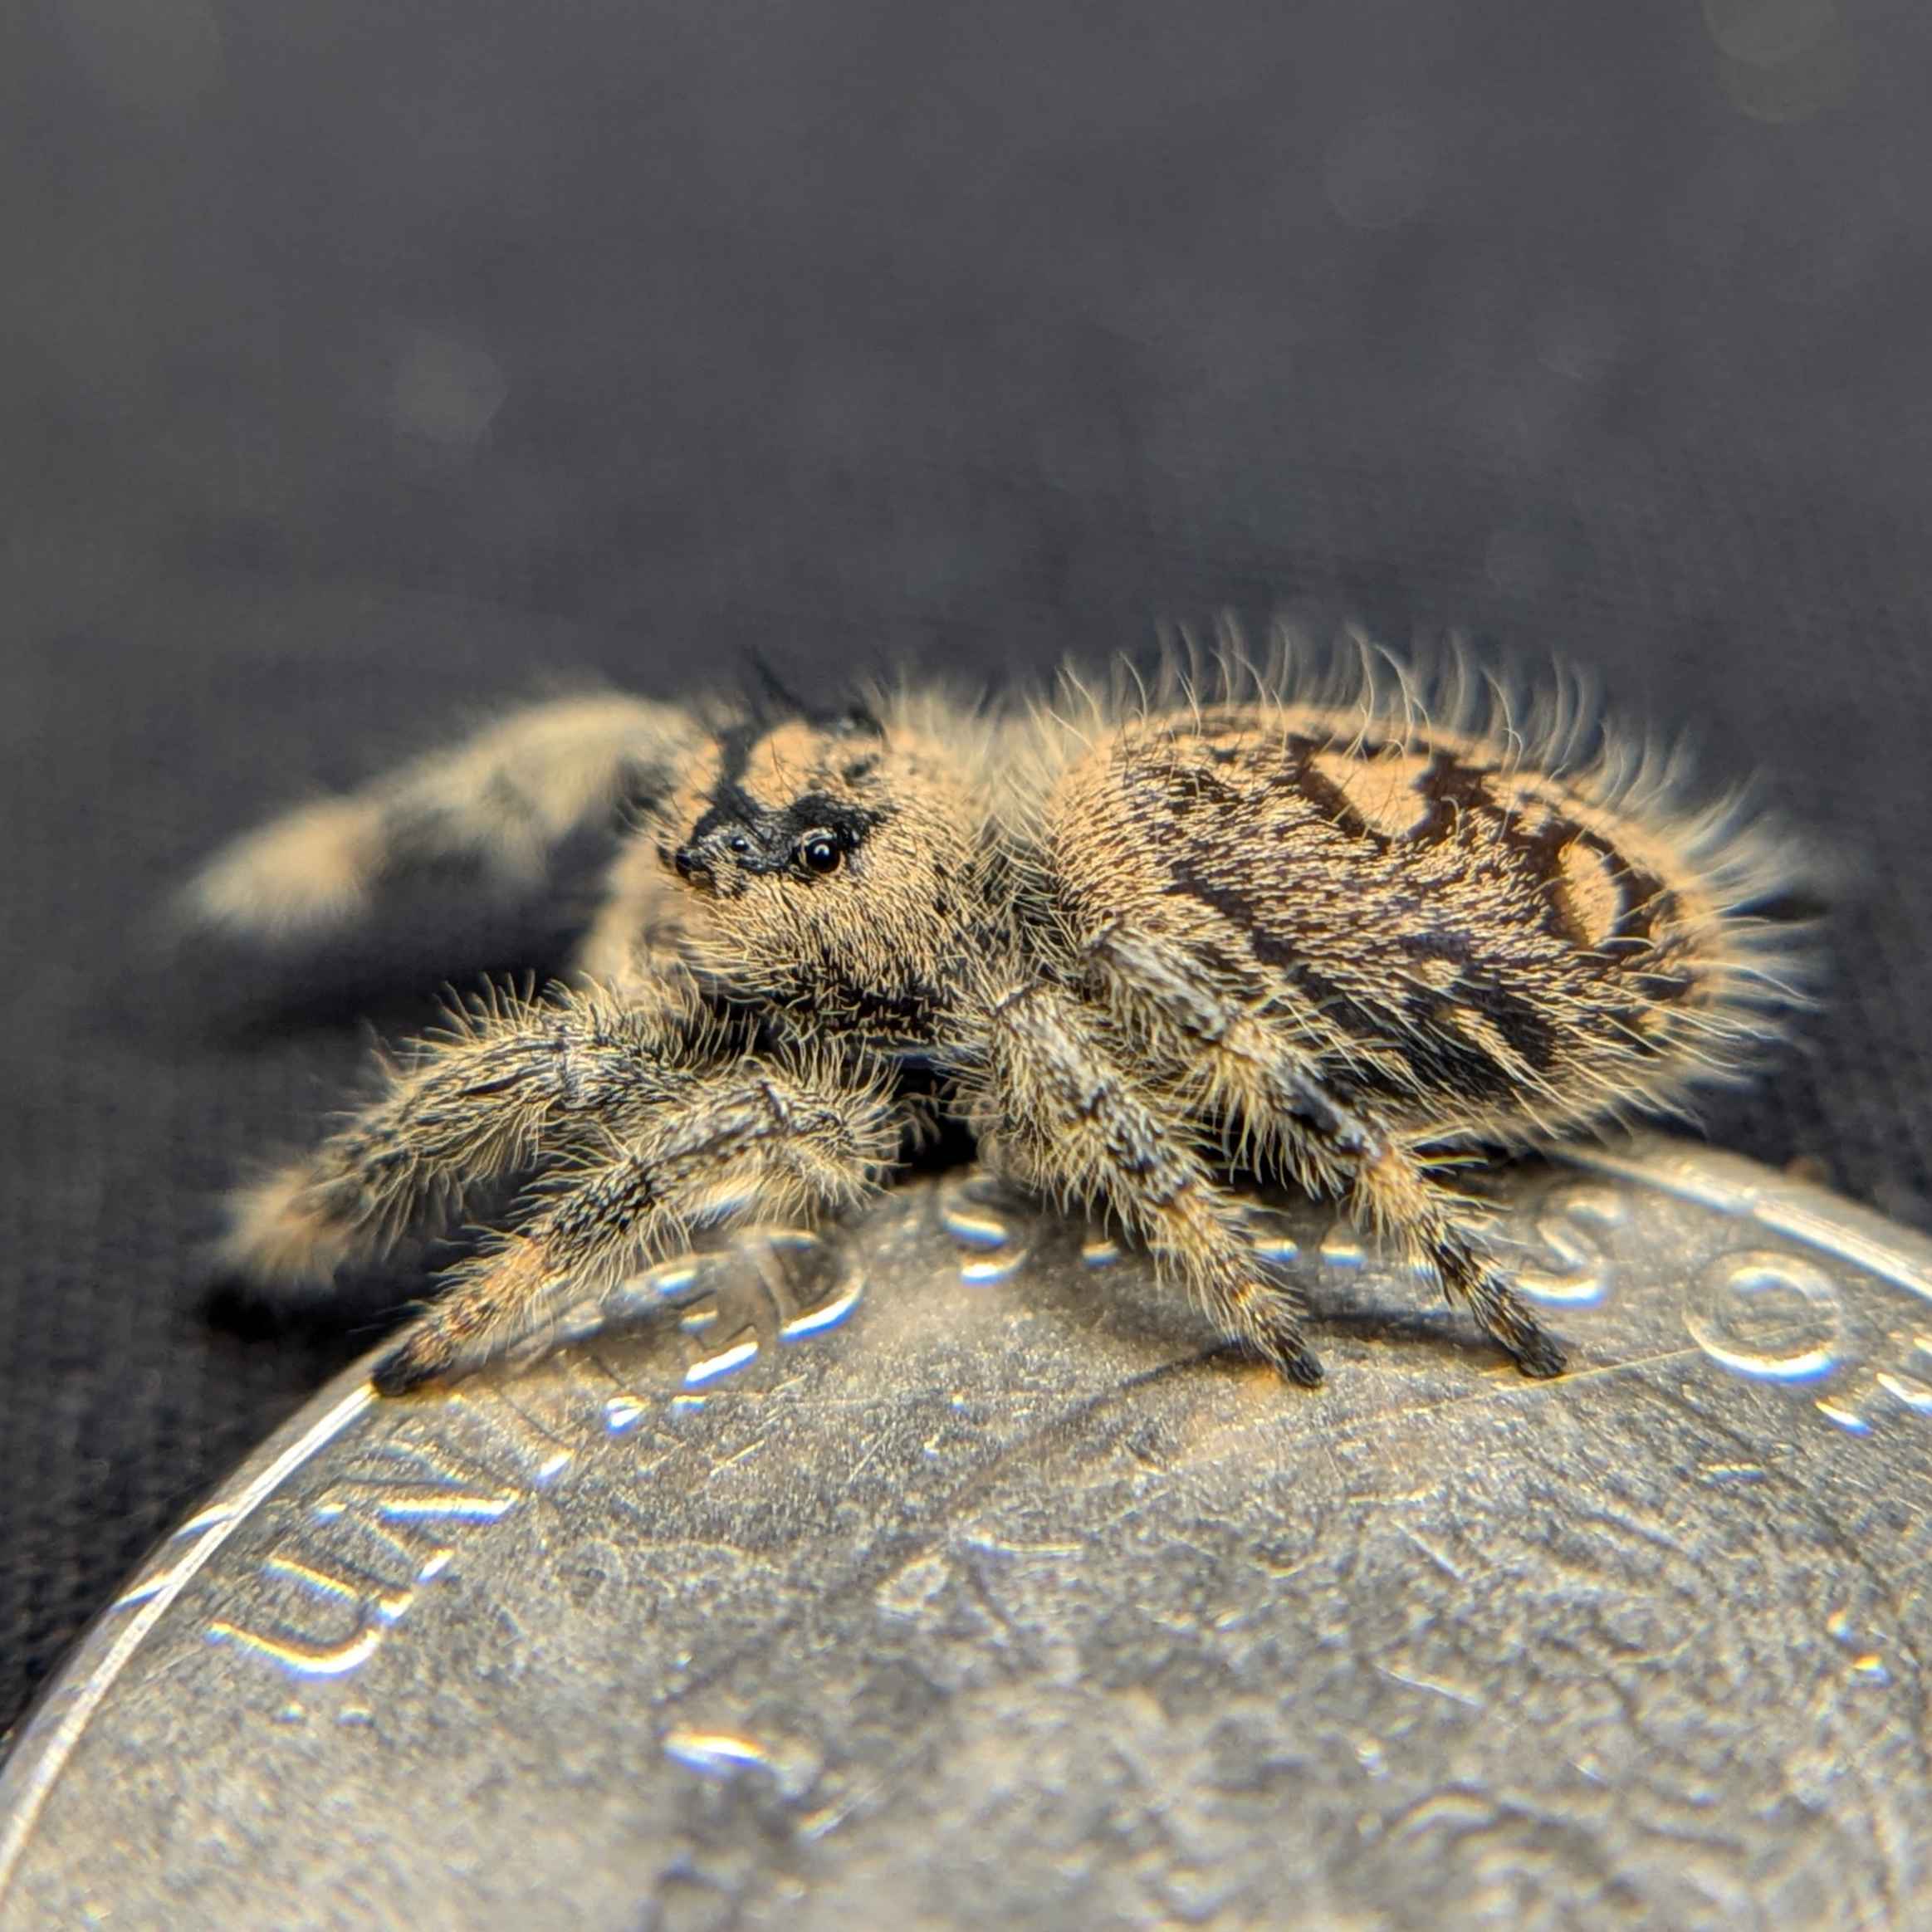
column 940, row 1572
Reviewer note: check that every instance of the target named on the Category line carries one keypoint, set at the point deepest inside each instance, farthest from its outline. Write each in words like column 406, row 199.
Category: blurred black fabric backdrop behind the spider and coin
column 366, row 364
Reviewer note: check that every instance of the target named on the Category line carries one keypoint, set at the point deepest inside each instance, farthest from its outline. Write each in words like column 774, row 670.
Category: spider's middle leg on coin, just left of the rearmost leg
column 1065, row 1112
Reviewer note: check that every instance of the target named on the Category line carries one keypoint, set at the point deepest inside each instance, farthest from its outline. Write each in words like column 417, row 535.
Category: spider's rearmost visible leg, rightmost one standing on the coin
column 1261, row 1079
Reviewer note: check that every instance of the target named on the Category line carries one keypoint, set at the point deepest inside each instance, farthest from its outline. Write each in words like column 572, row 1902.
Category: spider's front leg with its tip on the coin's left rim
column 783, row 1135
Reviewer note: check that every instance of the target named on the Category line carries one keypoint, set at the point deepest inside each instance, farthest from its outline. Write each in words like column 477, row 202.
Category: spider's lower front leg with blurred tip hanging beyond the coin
column 480, row 1102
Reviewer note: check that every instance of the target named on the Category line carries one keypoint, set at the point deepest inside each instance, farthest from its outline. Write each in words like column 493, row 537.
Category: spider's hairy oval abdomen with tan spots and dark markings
column 1433, row 921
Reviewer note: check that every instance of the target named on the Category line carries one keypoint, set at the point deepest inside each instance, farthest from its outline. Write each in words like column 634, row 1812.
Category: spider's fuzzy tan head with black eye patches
column 828, row 867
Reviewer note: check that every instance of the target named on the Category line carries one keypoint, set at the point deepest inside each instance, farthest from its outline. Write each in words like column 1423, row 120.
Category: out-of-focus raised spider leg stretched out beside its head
column 499, row 803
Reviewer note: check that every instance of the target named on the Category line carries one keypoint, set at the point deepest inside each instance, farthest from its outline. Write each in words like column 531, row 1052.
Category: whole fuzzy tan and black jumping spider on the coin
column 1137, row 940
